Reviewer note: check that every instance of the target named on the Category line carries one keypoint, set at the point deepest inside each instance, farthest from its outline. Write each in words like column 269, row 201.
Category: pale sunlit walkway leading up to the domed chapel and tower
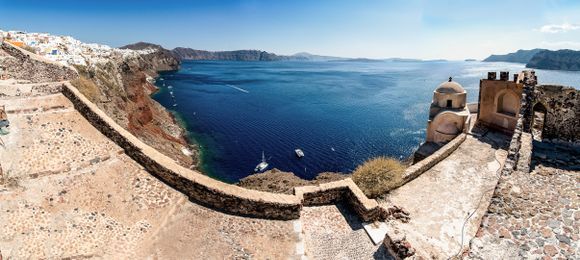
column 441, row 199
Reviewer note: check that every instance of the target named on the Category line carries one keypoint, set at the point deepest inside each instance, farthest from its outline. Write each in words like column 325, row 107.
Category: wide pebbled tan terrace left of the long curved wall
column 68, row 191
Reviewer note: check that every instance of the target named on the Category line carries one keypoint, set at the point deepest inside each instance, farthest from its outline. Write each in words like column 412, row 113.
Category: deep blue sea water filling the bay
column 339, row 113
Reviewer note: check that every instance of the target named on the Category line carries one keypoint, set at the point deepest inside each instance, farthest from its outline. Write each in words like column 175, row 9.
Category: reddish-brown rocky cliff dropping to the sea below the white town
column 122, row 86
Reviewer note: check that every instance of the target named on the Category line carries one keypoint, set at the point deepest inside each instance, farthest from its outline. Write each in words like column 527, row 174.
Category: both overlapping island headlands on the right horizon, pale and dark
column 542, row 59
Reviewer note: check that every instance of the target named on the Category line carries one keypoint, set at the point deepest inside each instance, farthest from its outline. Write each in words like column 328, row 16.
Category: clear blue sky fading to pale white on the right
column 354, row 28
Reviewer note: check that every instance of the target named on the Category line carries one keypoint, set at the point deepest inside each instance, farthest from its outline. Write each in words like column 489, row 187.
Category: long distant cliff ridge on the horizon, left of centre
column 240, row 55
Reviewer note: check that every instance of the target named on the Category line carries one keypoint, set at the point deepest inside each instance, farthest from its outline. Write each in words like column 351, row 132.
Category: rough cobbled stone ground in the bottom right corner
column 533, row 215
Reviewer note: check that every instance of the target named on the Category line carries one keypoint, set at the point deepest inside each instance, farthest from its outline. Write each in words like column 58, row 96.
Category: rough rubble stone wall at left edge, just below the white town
column 23, row 65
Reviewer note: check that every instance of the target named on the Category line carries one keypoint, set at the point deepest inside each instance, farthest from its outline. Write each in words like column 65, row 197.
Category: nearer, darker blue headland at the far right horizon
column 556, row 60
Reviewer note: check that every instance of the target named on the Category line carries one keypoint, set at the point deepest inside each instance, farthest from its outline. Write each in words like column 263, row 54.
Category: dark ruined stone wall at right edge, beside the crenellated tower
column 563, row 112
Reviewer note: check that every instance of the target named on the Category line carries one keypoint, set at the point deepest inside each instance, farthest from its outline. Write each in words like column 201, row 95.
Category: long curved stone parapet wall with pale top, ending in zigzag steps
column 216, row 194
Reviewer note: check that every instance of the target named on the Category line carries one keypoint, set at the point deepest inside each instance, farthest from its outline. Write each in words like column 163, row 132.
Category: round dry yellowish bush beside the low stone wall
column 379, row 175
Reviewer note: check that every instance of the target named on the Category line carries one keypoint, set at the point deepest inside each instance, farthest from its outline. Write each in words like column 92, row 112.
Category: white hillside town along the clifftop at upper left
column 65, row 50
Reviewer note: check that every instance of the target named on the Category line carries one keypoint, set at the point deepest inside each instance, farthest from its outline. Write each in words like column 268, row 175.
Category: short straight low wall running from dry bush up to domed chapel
column 420, row 167
